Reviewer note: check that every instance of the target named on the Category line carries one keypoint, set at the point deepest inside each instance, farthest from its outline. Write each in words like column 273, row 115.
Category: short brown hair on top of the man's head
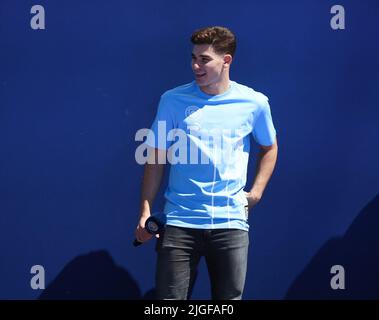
column 222, row 39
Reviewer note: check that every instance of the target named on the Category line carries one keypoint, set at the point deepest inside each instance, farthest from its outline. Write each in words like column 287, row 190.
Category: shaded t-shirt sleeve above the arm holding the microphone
column 162, row 124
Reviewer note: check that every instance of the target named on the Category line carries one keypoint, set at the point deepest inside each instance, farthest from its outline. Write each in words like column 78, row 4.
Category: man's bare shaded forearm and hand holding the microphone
column 152, row 178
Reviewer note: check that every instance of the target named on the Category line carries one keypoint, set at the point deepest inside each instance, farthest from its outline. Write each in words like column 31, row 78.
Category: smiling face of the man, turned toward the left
column 208, row 66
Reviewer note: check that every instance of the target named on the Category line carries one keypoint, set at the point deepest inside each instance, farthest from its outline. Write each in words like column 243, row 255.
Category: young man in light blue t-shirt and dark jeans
column 206, row 205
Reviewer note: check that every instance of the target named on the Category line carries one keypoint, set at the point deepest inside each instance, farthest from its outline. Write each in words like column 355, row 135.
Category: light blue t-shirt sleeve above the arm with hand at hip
column 264, row 132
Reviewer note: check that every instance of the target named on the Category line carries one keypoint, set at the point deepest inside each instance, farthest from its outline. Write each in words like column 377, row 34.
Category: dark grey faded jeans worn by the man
column 179, row 251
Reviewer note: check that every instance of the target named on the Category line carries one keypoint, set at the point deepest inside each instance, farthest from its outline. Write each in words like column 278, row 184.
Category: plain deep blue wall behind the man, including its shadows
column 73, row 95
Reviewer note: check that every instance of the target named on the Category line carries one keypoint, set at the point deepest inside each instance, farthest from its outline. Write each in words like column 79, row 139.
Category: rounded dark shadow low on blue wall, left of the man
column 92, row 276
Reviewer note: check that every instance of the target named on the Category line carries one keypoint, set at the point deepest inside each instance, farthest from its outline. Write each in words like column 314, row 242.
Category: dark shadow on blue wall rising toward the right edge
column 357, row 251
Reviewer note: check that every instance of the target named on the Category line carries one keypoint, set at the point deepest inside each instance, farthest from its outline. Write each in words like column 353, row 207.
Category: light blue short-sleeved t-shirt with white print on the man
column 208, row 142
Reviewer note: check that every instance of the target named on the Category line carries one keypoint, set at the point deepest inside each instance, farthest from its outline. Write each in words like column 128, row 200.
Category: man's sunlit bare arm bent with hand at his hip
column 265, row 167
